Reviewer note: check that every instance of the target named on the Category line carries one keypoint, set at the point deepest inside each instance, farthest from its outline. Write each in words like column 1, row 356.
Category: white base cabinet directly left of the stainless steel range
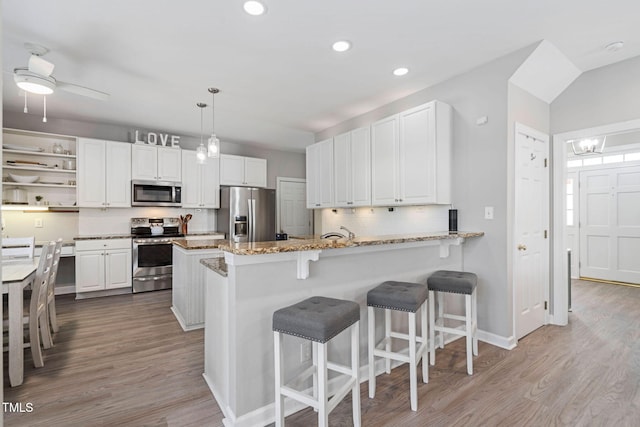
column 103, row 264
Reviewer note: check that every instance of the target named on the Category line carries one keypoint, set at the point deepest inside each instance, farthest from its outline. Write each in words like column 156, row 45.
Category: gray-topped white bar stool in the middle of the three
column 399, row 296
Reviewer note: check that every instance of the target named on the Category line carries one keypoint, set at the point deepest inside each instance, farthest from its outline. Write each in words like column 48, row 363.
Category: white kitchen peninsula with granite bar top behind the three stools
column 258, row 278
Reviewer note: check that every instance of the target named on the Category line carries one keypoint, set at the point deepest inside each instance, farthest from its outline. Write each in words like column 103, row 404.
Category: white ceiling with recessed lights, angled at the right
column 279, row 79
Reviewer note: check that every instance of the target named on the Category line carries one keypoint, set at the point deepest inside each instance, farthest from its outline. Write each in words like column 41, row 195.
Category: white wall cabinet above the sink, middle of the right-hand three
column 352, row 168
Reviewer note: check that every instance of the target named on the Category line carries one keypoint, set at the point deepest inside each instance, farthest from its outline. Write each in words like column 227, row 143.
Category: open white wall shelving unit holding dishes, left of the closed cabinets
column 43, row 165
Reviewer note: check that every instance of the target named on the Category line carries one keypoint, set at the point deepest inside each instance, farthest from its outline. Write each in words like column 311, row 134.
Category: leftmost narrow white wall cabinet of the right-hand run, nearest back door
column 320, row 174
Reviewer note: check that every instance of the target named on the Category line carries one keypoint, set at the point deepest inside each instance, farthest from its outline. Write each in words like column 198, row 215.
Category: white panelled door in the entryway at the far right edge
column 610, row 224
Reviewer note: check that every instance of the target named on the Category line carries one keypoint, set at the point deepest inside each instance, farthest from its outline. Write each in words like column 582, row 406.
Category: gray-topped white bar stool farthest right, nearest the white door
column 454, row 282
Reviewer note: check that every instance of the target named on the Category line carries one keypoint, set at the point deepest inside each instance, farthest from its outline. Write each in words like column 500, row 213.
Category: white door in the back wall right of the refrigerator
column 294, row 218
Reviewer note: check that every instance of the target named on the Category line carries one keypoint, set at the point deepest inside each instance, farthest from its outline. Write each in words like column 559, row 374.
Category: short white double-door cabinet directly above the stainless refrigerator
column 239, row 170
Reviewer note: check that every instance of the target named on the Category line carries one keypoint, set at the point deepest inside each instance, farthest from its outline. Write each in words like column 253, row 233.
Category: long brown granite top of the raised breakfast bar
column 315, row 243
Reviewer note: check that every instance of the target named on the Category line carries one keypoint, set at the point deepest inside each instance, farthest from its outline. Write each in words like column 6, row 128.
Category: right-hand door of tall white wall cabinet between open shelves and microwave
column 118, row 174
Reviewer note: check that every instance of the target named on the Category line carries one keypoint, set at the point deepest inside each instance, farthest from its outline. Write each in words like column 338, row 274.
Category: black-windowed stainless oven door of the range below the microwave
column 152, row 257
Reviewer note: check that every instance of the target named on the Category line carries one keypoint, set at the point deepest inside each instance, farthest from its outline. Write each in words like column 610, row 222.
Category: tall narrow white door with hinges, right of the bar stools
column 531, row 247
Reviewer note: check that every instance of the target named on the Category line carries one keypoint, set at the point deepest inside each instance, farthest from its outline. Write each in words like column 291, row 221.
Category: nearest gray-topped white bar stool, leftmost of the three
column 318, row 319
